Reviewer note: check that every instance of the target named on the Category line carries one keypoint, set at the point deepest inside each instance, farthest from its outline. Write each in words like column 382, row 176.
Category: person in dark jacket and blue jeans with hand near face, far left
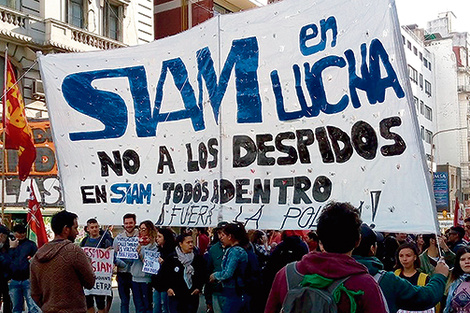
column 21, row 251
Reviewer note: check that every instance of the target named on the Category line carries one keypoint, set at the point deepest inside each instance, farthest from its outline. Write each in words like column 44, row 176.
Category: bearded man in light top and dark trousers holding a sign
column 124, row 259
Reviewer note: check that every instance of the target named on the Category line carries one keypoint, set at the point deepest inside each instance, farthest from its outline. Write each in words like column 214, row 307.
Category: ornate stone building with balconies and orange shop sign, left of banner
column 28, row 27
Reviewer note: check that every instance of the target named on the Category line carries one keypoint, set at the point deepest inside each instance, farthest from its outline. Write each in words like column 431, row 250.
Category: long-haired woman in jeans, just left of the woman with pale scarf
column 166, row 247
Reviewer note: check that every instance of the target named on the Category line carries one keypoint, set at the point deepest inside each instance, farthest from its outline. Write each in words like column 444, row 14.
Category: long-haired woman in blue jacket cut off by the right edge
column 457, row 298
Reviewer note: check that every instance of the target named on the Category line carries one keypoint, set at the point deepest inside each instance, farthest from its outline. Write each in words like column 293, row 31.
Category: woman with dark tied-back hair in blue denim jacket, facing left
column 233, row 237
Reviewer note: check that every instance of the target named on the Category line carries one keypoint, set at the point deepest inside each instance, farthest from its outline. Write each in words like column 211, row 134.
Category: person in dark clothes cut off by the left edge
column 5, row 261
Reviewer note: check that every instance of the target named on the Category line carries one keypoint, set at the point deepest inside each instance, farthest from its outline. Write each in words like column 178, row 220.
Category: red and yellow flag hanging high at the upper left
column 18, row 134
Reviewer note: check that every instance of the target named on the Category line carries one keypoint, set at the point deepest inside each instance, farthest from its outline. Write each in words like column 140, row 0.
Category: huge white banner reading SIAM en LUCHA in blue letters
column 261, row 117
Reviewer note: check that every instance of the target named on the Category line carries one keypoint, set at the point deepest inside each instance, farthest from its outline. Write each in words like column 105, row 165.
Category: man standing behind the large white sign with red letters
column 95, row 240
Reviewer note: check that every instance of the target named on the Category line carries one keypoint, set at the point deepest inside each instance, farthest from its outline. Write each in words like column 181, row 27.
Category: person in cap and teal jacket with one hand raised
column 398, row 292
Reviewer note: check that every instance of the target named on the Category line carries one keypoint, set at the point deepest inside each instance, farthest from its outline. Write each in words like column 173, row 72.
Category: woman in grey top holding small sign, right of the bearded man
column 141, row 281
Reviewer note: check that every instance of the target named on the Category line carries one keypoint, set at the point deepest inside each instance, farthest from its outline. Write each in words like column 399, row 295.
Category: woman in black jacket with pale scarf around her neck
column 184, row 274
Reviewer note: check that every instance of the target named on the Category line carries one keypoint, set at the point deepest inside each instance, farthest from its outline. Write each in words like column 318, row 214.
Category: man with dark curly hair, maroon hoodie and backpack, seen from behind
column 333, row 275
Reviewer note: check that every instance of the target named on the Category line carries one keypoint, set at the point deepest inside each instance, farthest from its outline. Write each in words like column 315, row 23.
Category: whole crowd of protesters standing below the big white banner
column 238, row 270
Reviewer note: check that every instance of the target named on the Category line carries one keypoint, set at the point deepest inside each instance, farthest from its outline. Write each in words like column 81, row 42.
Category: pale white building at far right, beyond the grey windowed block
column 453, row 95
